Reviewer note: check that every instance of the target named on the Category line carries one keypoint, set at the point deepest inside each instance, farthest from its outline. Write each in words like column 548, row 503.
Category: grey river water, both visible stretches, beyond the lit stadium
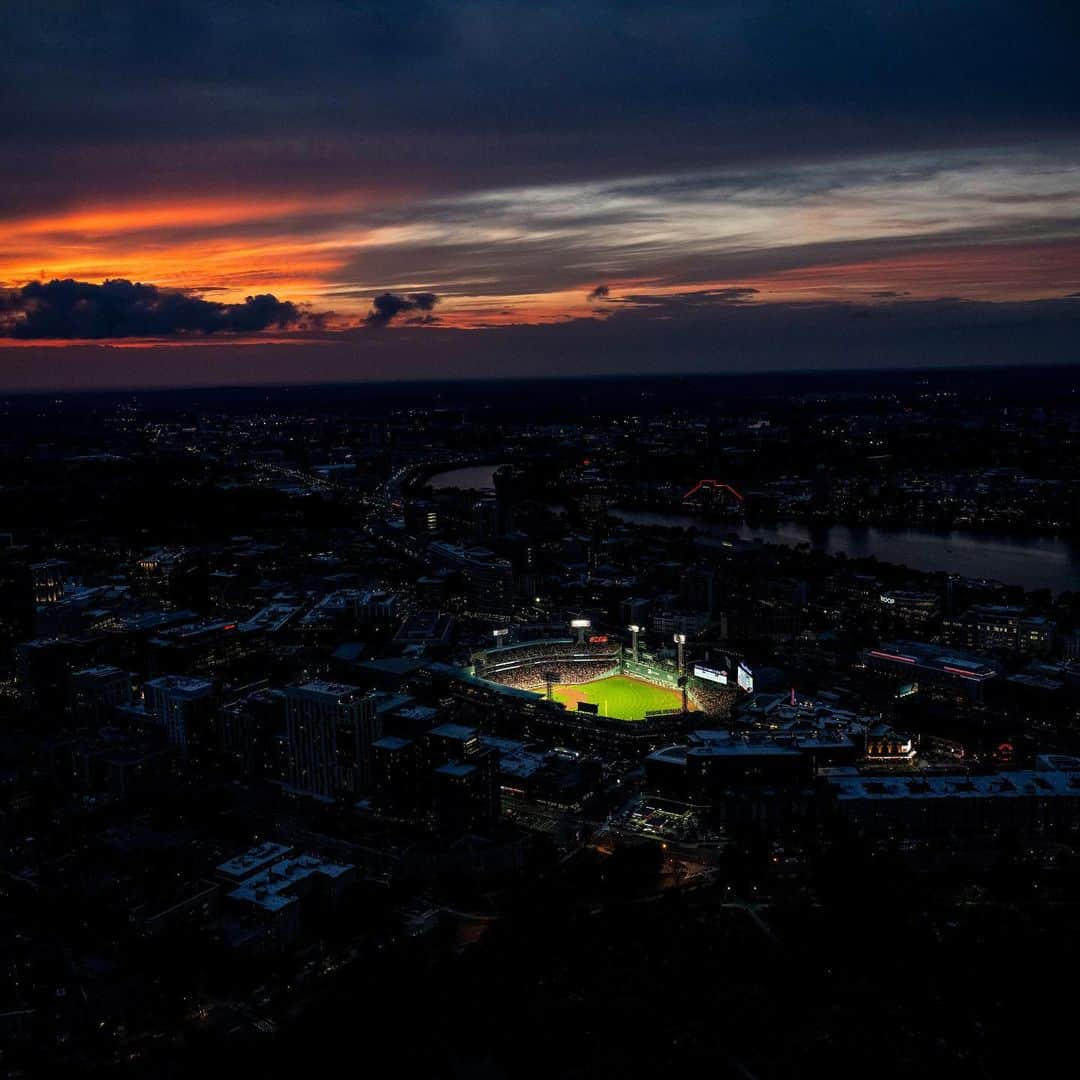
column 1049, row 563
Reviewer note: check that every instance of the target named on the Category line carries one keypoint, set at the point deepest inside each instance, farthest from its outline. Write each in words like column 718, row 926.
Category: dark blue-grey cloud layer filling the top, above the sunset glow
column 502, row 91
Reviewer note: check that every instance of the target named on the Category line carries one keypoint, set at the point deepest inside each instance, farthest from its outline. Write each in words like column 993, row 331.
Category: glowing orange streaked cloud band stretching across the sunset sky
column 492, row 265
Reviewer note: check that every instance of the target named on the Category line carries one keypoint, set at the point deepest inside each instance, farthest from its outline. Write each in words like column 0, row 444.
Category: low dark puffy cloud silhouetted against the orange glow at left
column 123, row 309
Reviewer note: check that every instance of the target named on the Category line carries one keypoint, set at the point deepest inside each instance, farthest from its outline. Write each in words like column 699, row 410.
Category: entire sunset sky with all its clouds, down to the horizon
column 214, row 192
